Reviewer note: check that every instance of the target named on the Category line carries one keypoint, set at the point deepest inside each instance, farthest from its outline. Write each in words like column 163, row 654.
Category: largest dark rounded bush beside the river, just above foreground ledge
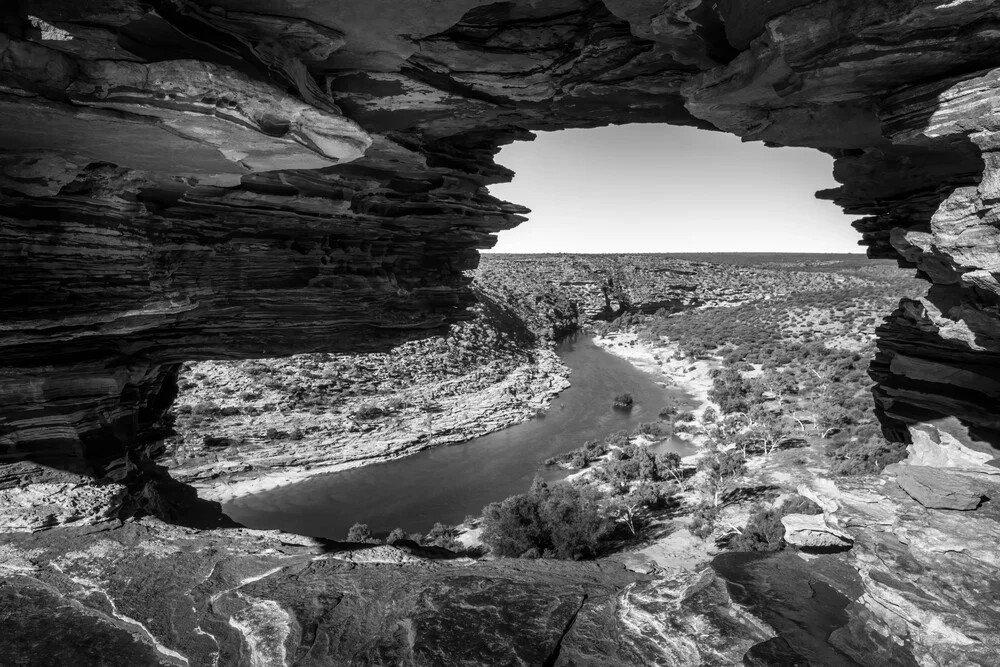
column 558, row 521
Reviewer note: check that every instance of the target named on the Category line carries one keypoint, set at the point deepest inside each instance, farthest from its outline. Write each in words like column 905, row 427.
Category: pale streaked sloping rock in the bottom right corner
column 924, row 573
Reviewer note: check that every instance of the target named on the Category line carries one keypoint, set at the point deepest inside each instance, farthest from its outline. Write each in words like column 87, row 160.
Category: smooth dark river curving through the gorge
column 448, row 483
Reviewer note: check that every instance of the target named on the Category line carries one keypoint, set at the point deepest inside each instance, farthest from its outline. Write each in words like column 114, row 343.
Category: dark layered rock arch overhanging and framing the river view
column 191, row 180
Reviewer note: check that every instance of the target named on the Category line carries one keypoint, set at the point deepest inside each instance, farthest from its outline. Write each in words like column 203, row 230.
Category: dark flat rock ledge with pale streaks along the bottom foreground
column 146, row 593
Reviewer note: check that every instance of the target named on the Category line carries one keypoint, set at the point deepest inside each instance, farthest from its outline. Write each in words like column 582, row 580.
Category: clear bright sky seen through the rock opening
column 661, row 188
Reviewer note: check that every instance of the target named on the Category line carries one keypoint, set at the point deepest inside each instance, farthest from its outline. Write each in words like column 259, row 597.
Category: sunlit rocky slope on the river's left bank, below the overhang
column 242, row 427
